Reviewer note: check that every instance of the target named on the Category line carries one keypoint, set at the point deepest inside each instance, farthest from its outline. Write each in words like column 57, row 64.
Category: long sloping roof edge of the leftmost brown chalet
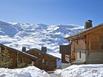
column 17, row 51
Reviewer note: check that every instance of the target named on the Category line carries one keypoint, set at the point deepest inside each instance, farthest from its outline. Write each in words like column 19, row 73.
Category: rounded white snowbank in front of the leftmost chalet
column 30, row 71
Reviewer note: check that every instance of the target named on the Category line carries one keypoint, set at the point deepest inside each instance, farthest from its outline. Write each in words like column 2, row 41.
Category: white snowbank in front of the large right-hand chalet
column 89, row 70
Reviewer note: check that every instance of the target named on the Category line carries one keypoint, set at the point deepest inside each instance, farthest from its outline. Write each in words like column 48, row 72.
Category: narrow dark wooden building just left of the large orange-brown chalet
column 65, row 51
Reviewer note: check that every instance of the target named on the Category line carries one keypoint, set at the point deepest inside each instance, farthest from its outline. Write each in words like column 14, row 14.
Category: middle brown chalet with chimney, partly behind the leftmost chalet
column 45, row 61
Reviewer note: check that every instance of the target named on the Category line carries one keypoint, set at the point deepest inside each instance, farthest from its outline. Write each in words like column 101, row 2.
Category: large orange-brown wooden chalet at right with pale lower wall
column 87, row 46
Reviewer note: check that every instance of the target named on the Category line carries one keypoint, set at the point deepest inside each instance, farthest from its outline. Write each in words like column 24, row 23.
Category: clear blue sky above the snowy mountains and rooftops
column 52, row 11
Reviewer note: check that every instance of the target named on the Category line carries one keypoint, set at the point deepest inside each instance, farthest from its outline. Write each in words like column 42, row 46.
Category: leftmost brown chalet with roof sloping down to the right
column 12, row 58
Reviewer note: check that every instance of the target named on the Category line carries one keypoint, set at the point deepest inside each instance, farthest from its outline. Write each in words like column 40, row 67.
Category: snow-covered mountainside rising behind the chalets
column 29, row 35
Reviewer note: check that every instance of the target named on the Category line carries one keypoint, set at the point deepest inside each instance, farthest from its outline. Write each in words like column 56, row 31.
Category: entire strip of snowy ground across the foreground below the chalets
column 91, row 70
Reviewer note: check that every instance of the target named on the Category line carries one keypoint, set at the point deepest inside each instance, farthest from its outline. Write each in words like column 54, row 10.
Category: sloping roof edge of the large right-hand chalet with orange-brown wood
column 84, row 32
